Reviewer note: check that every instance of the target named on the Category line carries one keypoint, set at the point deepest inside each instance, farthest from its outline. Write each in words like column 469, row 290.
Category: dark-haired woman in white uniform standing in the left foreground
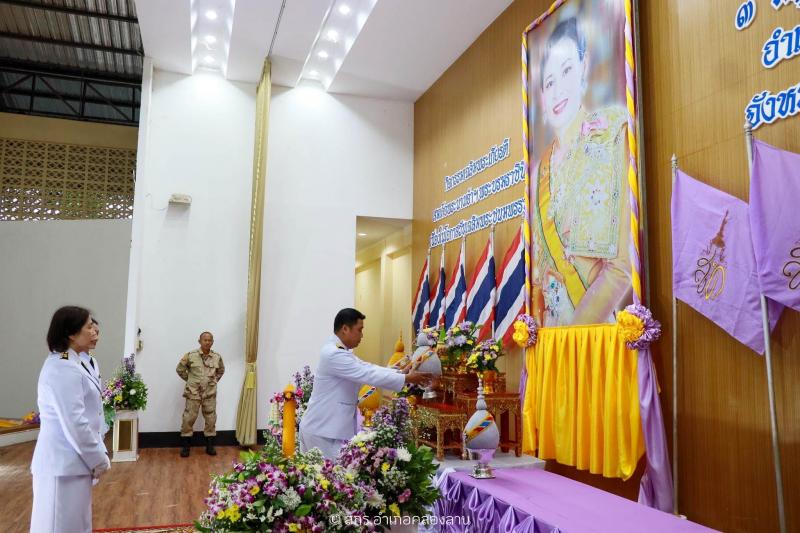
column 69, row 452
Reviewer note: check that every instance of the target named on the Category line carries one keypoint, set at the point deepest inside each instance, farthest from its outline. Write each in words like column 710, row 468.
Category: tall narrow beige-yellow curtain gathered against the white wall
column 246, row 412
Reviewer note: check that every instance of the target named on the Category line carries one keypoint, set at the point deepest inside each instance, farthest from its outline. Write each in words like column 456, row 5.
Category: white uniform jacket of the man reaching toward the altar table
column 331, row 411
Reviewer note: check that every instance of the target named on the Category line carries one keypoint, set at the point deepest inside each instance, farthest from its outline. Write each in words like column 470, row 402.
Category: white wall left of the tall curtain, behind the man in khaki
column 193, row 271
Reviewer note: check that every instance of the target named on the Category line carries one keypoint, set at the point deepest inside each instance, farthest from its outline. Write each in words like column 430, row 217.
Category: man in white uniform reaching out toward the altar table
column 330, row 418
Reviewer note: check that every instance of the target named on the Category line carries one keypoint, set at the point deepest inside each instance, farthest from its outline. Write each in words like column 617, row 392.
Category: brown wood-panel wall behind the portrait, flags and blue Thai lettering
column 697, row 75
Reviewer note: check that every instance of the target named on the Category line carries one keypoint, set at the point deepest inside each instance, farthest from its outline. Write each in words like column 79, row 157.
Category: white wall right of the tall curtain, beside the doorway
column 331, row 158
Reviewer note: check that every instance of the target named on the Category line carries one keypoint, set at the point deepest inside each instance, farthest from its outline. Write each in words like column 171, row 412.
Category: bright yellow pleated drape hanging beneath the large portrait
column 582, row 402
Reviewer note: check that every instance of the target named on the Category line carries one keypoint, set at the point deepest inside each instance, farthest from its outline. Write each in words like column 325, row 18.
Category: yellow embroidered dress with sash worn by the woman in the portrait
column 580, row 224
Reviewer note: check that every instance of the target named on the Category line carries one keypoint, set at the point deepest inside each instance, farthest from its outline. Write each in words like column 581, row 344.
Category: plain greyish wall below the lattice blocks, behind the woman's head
column 46, row 265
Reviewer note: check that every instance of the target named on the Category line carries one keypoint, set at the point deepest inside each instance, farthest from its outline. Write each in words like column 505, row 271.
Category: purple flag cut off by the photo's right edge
column 774, row 221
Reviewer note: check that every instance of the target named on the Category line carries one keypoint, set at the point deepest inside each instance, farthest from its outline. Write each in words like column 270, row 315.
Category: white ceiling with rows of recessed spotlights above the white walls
column 402, row 49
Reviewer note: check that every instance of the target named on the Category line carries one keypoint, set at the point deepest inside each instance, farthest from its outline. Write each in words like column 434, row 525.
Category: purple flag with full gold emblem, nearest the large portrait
column 713, row 264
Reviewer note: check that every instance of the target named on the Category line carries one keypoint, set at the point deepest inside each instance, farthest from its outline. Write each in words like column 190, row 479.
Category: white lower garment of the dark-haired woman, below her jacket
column 62, row 504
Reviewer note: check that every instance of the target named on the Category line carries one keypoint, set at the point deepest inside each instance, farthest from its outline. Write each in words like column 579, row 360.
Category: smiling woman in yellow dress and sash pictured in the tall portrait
column 579, row 195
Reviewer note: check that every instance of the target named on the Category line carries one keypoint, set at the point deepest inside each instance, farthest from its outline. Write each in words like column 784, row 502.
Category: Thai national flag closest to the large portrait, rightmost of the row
column 510, row 290
